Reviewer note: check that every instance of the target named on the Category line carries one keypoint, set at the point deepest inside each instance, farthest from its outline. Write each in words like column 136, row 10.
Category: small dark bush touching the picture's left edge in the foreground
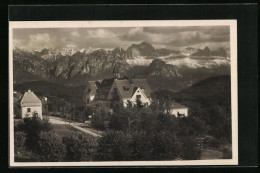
column 19, row 141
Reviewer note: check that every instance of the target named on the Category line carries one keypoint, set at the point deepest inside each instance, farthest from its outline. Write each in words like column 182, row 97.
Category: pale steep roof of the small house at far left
column 30, row 99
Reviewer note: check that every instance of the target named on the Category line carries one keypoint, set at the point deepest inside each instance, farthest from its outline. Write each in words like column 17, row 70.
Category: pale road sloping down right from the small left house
column 76, row 125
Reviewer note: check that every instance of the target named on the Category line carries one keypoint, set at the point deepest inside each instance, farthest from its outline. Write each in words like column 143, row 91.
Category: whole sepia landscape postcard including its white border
column 123, row 93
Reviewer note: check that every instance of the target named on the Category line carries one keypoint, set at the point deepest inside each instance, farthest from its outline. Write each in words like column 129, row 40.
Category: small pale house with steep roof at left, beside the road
column 31, row 105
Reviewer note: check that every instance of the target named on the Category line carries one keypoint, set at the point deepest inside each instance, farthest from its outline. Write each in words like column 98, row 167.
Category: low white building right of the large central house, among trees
column 176, row 109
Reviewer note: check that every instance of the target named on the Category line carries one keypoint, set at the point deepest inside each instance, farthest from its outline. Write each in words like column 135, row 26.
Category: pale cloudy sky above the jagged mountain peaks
column 173, row 37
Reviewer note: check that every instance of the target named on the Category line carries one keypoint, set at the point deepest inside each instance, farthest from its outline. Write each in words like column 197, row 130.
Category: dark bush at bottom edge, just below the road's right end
column 80, row 149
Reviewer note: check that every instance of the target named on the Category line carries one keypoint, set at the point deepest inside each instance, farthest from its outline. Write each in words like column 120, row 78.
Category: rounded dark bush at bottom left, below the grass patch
column 50, row 147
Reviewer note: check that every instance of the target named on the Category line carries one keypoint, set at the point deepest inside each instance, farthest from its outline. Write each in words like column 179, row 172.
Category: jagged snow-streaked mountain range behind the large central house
column 163, row 68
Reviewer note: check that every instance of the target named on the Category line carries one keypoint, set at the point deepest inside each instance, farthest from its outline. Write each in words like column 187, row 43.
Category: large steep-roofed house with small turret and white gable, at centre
column 124, row 90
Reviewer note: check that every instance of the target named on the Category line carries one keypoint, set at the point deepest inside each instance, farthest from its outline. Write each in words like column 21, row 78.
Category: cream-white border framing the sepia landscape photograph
column 143, row 23
